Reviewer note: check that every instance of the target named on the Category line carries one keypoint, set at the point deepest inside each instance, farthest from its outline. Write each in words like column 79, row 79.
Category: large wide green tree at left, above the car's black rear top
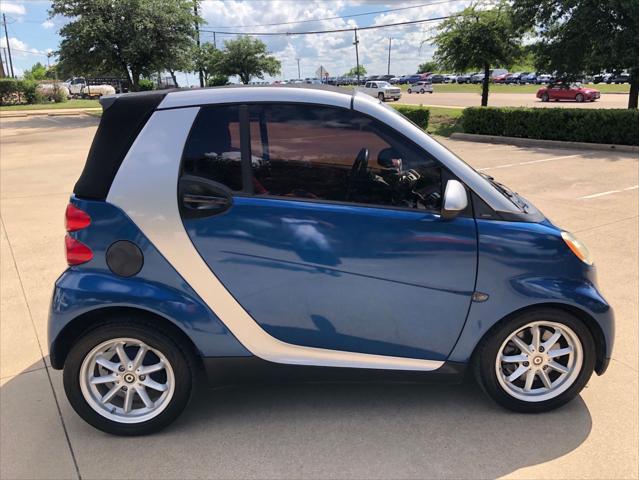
column 132, row 37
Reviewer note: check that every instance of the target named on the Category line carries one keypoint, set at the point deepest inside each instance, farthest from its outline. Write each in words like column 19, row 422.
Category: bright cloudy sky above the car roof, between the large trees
column 410, row 45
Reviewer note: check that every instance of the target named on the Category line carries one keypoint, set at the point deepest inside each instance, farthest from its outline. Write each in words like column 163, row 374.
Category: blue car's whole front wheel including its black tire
column 579, row 364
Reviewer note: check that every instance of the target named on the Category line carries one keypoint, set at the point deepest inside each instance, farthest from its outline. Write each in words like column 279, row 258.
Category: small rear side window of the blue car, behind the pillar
column 212, row 150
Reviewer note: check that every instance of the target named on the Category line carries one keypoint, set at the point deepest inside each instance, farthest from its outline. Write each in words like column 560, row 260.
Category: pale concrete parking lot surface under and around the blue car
column 318, row 430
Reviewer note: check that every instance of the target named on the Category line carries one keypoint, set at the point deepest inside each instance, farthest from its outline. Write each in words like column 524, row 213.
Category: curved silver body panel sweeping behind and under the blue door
column 145, row 188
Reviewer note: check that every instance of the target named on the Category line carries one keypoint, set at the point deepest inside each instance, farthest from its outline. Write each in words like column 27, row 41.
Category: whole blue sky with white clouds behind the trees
column 32, row 34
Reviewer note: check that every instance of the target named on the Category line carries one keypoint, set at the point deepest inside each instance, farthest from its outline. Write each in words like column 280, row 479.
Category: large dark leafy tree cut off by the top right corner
column 585, row 36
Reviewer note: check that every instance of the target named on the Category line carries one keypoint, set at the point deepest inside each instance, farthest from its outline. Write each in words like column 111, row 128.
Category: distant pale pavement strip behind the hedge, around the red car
column 449, row 99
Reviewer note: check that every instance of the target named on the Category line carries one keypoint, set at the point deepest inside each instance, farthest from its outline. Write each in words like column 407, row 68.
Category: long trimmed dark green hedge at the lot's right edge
column 568, row 124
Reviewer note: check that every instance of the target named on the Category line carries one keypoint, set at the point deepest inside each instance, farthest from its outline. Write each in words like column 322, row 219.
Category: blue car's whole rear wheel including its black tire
column 81, row 366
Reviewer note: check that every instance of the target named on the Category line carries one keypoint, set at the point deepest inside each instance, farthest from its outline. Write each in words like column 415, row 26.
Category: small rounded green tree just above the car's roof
column 248, row 57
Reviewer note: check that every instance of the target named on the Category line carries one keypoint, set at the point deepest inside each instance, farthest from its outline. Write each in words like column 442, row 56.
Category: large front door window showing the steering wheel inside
column 315, row 152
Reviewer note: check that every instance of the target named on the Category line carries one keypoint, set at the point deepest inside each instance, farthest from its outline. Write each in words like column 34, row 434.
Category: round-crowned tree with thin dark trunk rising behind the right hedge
column 478, row 39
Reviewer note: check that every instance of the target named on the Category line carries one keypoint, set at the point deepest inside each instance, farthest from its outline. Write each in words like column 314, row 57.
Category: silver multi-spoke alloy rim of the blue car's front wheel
column 539, row 361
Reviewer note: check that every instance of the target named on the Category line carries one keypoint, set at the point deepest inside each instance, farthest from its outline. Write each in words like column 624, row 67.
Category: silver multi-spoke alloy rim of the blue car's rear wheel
column 127, row 381
